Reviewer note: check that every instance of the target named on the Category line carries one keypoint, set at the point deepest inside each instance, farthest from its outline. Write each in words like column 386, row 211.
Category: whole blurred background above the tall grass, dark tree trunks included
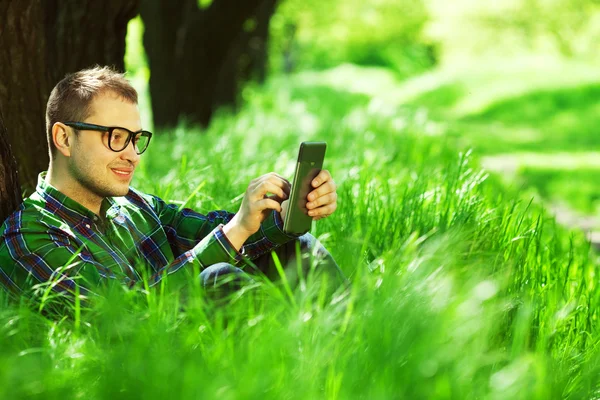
column 515, row 80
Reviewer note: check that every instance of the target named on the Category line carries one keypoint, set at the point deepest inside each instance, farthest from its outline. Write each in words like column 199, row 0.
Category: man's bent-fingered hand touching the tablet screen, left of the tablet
column 256, row 206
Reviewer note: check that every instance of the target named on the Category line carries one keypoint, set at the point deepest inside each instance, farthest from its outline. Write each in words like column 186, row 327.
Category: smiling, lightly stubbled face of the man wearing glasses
column 98, row 170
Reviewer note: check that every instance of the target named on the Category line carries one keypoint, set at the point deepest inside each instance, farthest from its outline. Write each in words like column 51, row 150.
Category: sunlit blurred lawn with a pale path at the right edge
column 548, row 108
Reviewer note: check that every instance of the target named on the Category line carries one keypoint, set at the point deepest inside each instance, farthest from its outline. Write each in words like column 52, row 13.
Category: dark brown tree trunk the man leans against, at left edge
column 41, row 41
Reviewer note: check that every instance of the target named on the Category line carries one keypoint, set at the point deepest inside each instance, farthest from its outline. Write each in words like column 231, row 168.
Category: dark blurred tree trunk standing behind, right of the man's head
column 199, row 52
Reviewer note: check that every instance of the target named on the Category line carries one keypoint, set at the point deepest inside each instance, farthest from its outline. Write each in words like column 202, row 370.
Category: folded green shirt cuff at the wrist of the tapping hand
column 216, row 248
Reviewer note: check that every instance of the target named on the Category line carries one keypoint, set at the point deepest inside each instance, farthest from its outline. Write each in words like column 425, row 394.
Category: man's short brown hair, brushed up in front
column 71, row 98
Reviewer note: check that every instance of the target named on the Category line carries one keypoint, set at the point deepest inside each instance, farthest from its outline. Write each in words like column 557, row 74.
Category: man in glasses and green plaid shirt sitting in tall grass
column 84, row 225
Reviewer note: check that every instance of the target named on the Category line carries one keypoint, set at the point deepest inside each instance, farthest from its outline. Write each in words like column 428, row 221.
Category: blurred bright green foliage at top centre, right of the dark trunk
column 319, row 35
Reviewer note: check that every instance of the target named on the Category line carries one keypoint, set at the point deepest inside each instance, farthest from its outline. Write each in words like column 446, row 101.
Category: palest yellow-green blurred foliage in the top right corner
column 504, row 29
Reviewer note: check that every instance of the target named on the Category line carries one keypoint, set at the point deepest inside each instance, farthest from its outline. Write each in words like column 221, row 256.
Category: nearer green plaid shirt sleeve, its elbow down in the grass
column 40, row 260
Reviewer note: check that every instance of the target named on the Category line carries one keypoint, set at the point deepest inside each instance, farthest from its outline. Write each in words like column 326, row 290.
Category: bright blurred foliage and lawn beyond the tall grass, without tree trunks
column 515, row 80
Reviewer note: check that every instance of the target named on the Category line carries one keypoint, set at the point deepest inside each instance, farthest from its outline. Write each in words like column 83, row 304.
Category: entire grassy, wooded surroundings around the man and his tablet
column 461, row 286
